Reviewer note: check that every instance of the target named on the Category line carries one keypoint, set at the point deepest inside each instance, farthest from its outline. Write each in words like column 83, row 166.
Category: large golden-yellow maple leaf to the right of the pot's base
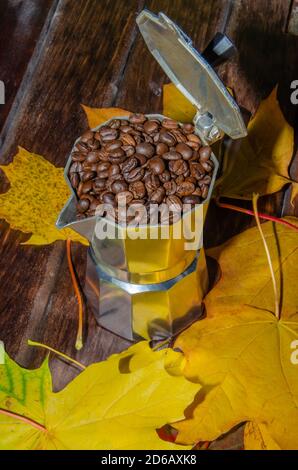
column 241, row 353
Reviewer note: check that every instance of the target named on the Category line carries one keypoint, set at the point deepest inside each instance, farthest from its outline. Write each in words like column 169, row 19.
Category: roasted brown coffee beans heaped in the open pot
column 140, row 160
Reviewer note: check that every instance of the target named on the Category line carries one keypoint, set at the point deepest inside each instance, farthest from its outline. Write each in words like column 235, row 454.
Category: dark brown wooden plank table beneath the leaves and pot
column 57, row 54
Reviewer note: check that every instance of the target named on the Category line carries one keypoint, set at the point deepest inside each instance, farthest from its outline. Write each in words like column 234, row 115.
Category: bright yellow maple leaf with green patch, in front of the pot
column 115, row 404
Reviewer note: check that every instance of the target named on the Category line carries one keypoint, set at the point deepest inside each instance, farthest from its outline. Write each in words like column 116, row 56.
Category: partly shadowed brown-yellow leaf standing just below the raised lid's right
column 259, row 162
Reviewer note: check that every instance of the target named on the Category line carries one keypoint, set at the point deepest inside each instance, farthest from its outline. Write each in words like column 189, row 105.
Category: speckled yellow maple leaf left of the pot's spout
column 36, row 195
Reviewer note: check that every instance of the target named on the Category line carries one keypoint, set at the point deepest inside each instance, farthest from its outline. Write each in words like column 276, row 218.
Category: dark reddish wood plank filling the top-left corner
column 21, row 23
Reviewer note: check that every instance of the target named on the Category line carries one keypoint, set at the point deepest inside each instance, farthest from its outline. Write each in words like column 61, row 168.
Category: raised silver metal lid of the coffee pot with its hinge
column 217, row 111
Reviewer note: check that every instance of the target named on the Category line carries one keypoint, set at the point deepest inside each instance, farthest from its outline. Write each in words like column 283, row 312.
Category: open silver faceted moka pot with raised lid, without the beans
column 142, row 286
